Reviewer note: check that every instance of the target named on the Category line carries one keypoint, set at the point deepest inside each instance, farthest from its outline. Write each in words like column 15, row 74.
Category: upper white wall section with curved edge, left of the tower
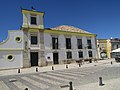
column 11, row 43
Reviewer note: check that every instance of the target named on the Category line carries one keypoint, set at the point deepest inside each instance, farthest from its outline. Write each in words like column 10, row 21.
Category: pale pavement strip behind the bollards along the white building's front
column 48, row 68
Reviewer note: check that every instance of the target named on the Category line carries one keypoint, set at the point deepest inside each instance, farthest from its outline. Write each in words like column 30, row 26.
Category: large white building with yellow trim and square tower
column 34, row 45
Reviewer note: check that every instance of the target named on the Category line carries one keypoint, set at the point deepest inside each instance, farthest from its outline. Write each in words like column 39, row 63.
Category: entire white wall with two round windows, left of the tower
column 14, row 48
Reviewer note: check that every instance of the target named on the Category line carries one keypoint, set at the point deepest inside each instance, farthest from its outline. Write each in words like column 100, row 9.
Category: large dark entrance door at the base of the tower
column 34, row 58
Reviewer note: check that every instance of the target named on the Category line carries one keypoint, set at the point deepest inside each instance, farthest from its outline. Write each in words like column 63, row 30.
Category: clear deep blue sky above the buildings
column 101, row 17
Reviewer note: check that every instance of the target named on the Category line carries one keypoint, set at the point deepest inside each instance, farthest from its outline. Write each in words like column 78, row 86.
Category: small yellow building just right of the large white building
column 104, row 48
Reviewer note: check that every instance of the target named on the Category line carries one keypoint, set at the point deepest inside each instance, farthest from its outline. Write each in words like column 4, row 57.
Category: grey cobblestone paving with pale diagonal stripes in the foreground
column 50, row 80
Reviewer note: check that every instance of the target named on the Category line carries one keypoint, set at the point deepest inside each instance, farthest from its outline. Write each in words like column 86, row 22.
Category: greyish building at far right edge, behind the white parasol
column 115, row 44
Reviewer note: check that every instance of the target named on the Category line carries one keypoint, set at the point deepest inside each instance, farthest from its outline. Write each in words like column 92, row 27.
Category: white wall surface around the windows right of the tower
column 62, row 48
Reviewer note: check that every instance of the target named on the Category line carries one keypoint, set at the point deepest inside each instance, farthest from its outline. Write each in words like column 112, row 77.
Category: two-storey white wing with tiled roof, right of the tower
column 68, row 45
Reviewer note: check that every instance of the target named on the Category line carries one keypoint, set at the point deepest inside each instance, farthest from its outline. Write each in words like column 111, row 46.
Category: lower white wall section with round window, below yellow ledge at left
column 17, row 62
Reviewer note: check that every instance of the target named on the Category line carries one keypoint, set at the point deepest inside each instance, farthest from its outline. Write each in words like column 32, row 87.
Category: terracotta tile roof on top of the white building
column 69, row 29
